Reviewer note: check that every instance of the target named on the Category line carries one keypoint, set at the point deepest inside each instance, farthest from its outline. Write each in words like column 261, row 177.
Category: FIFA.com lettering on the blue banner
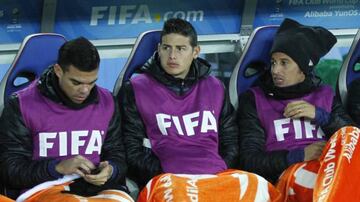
column 134, row 14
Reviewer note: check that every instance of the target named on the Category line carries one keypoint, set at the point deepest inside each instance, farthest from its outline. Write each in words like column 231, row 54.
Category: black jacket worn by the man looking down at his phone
column 18, row 170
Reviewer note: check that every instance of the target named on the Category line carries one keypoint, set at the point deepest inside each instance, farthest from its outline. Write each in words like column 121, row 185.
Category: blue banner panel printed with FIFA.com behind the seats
column 112, row 19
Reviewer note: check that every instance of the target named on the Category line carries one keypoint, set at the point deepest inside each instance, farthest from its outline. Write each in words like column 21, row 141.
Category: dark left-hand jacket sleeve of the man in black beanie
column 253, row 157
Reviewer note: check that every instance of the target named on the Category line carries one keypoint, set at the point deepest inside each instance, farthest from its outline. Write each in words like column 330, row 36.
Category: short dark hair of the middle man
column 179, row 26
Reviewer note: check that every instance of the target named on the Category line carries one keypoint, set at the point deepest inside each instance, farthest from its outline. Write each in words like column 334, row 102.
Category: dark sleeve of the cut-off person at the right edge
column 353, row 102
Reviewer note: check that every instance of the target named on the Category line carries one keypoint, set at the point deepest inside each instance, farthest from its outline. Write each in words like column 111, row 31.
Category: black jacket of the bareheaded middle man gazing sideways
column 143, row 163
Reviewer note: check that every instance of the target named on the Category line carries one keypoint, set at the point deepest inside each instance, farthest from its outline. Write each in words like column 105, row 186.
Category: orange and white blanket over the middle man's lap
column 230, row 185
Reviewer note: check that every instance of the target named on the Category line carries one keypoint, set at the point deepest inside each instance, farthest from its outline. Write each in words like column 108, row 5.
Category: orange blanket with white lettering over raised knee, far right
column 339, row 174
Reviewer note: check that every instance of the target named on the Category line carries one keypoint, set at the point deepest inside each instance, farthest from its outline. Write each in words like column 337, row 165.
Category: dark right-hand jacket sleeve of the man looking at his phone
column 113, row 149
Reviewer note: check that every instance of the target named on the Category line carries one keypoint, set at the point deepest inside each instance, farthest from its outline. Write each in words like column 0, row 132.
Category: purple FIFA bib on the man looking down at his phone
column 59, row 132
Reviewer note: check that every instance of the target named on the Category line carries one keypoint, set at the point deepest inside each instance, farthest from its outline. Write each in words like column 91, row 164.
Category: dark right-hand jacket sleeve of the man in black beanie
column 338, row 118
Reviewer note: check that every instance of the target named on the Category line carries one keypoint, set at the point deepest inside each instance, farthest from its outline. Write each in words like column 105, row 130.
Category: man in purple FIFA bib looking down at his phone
column 64, row 124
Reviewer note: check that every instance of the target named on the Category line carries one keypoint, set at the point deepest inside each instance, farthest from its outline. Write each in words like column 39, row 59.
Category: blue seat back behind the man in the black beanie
column 255, row 58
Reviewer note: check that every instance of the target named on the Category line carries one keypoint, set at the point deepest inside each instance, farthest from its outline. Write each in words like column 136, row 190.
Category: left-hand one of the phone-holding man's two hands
column 77, row 164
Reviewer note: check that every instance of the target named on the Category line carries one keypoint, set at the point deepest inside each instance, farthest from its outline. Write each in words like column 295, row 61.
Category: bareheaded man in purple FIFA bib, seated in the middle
column 177, row 118
